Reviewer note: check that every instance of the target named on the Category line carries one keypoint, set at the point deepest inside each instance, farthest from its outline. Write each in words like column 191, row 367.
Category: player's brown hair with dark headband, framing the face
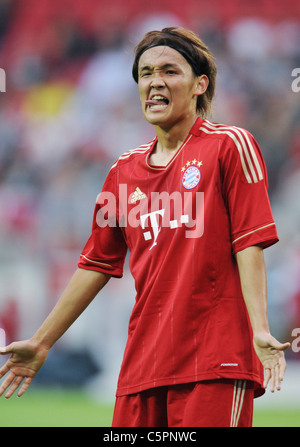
column 192, row 48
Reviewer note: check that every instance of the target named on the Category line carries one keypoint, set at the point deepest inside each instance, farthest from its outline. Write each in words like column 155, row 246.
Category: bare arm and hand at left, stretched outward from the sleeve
column 28, row 356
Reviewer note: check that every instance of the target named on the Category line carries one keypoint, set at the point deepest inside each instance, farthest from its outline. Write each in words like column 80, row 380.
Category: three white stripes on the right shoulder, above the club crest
column 253, row 172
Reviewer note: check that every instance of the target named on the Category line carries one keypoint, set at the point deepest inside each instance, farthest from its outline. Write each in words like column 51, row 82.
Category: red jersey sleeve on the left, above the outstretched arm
column 105, row 250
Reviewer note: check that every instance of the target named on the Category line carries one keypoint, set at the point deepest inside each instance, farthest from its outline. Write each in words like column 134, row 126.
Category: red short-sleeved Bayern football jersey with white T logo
column 182, row 224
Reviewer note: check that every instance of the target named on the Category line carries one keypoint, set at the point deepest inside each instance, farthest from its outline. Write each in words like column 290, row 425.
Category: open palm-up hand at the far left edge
column 26, row 359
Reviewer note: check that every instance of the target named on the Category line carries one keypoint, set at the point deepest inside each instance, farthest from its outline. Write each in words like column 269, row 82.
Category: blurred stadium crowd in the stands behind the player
column 71, row 108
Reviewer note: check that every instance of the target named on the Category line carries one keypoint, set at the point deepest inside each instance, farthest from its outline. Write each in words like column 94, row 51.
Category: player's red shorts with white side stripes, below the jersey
column 216, row 403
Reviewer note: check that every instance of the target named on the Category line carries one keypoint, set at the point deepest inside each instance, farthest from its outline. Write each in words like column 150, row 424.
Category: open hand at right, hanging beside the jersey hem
column 270, row 352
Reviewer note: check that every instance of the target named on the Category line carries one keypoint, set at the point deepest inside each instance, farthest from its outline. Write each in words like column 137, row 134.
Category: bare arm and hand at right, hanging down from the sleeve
column 253, row 277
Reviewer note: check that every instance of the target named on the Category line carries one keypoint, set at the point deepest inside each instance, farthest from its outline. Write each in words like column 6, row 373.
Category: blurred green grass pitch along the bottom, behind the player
column 52, row 408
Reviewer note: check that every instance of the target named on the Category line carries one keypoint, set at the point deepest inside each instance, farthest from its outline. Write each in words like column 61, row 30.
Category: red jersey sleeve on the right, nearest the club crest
column 245, row 191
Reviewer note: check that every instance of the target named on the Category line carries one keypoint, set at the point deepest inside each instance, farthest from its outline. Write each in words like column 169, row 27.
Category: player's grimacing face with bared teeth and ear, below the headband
column 168, row 87
